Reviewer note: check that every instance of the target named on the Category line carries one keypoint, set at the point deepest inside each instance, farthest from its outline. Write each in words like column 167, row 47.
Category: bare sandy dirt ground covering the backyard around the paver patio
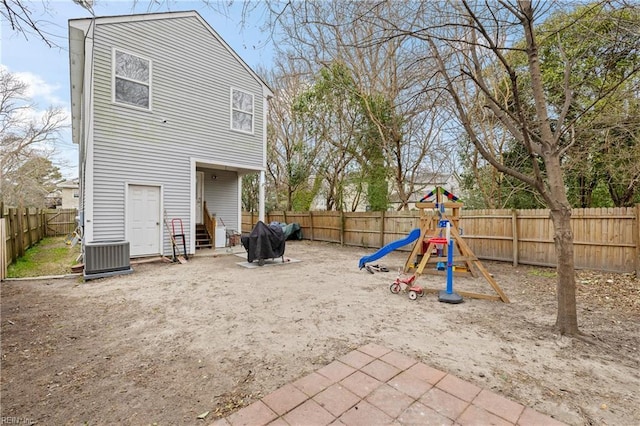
column 172, row 341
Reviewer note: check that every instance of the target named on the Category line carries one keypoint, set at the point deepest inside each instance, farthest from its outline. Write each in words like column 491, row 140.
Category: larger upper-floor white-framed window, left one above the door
column 131, row 79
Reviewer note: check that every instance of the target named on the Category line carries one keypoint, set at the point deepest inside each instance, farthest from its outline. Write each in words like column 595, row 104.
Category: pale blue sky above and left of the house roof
column 46, row 69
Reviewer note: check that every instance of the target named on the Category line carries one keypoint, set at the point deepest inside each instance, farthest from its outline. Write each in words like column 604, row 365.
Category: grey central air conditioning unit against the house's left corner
column 106, row 258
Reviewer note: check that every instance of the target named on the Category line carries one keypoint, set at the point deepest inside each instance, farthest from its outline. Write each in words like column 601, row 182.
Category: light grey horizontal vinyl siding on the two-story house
column 189, row 119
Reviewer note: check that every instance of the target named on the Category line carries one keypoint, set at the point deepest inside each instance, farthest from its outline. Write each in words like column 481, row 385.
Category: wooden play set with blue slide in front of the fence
column 438, row 244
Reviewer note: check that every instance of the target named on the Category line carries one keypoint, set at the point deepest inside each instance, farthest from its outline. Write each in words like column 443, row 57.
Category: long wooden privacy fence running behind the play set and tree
column 605, row 239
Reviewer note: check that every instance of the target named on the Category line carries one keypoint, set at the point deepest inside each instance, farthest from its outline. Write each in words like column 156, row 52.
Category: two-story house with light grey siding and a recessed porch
column 168, row 118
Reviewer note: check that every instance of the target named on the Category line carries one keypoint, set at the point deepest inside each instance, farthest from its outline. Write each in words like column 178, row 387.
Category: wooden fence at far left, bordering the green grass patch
column 22, row 228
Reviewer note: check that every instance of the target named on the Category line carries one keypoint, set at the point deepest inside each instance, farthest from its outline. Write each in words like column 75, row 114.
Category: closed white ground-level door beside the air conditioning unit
column 143, row 220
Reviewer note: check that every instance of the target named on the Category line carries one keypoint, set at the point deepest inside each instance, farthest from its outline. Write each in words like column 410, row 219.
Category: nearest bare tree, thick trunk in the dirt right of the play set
column 483, row 33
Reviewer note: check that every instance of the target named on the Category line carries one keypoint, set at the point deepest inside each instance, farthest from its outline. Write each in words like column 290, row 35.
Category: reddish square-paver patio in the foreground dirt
column 376, row 386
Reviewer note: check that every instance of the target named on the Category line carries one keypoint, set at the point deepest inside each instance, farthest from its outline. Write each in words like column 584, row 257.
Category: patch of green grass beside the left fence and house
column 51, row 256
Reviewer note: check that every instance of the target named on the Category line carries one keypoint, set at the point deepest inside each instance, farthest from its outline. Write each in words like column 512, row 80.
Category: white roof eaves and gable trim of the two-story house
column 79, row 29
